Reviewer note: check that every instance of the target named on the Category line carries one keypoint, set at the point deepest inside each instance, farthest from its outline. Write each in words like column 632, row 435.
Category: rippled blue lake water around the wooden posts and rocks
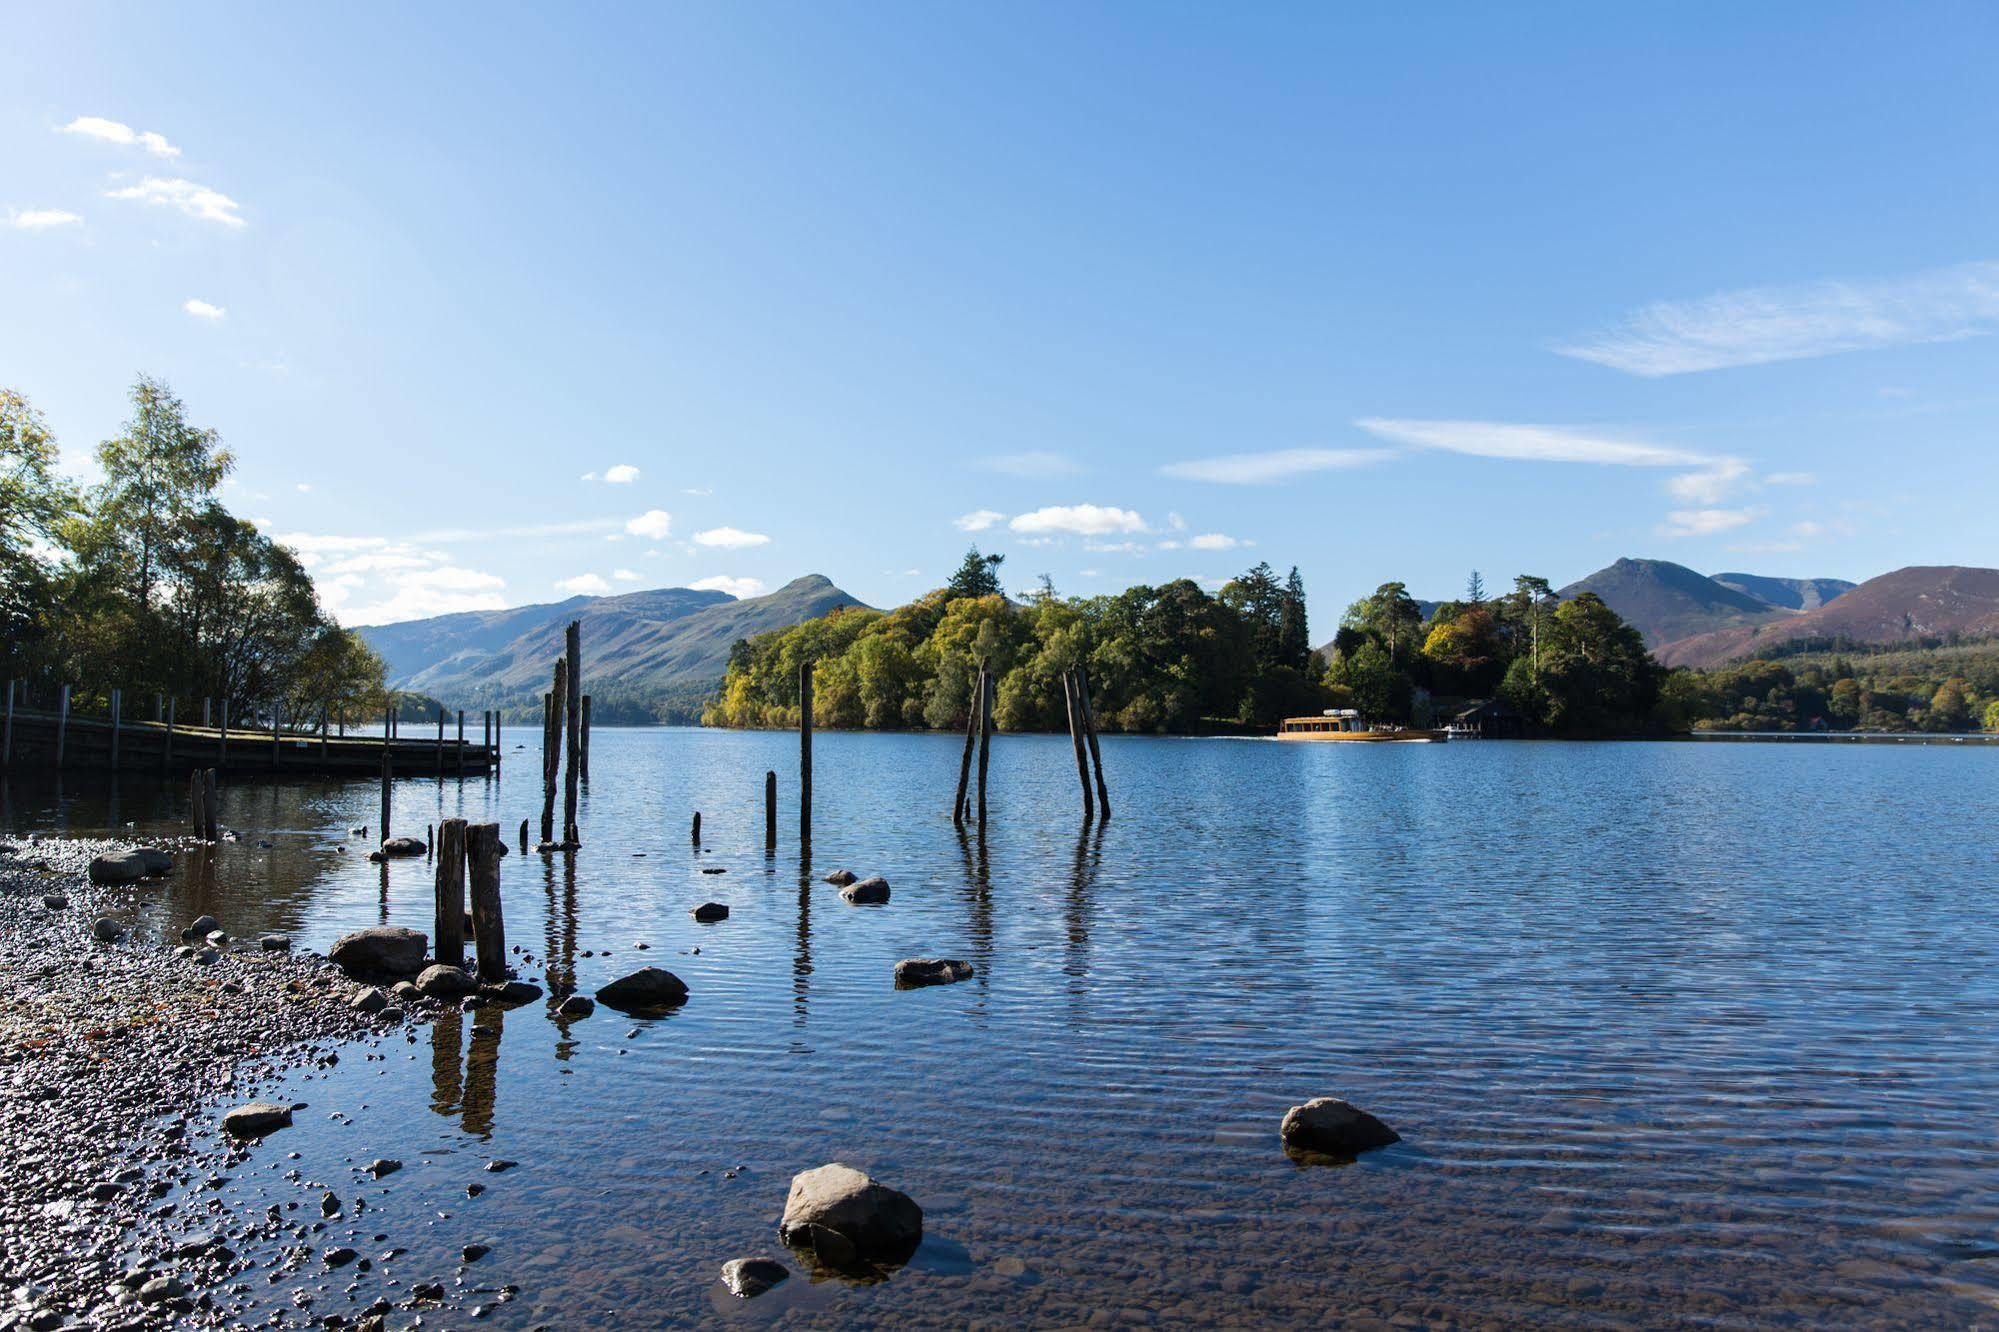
column 1674, row 1035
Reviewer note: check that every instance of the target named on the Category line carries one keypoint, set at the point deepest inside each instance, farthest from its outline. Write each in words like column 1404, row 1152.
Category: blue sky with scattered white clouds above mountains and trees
column 495, row 305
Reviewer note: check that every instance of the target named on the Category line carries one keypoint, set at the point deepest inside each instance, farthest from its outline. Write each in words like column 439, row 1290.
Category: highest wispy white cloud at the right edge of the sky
column 1762, row 325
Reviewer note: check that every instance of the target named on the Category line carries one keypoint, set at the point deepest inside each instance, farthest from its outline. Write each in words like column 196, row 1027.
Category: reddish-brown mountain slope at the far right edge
column 1910, row 605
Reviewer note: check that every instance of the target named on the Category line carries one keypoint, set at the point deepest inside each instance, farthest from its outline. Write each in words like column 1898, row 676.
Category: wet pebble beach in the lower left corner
column 119, row 1057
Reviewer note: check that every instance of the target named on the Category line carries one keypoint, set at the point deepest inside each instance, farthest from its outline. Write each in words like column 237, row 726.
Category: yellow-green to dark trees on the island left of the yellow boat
column 1164, row 659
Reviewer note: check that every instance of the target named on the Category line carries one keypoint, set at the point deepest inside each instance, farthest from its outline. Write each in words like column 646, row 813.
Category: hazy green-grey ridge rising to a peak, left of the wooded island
column 639, row 649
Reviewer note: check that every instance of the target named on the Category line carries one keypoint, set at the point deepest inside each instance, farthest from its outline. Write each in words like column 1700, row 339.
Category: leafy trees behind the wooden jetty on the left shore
column 147, row 583
